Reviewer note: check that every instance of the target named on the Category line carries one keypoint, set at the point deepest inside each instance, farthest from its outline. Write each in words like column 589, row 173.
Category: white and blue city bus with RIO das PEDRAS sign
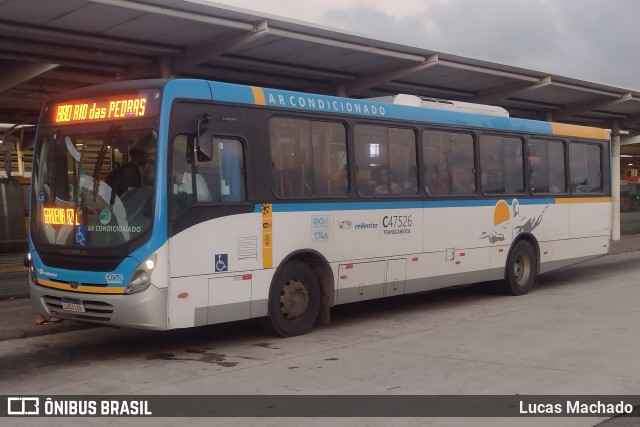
column 163, row 204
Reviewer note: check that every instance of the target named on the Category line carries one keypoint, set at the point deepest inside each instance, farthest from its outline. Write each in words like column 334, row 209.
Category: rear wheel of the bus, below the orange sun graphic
column 521, row 272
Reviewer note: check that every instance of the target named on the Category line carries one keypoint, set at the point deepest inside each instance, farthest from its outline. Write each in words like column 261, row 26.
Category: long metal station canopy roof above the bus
column 48, row 47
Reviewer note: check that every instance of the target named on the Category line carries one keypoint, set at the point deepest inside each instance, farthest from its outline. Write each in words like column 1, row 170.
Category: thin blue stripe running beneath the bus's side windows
column 400, row 204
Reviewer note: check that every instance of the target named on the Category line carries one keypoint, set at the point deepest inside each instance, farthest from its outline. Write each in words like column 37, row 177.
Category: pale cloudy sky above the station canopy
column 591, row 40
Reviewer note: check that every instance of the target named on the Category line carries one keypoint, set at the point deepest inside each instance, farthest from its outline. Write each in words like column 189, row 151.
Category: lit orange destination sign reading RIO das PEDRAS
column 91, row 110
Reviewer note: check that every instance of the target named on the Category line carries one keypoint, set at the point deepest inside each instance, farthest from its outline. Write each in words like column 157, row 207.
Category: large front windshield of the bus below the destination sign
column 93, row 189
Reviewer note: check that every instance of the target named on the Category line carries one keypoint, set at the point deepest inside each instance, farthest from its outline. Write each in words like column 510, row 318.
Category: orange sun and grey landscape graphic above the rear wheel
column 505, row 220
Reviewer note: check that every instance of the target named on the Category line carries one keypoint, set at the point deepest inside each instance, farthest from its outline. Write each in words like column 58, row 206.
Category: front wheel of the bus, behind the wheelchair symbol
column 294, row 300
